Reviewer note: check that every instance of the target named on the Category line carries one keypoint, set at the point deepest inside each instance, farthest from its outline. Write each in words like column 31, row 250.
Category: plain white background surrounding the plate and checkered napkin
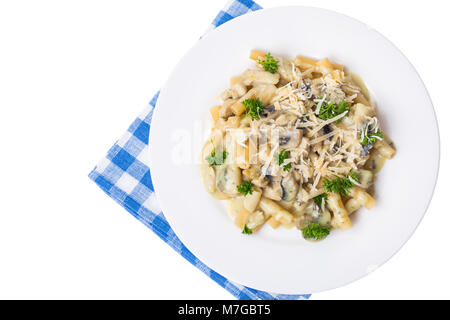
column 75, row 74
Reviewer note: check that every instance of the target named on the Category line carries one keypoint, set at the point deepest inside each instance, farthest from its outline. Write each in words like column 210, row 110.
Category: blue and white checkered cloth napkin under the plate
column 125, row 177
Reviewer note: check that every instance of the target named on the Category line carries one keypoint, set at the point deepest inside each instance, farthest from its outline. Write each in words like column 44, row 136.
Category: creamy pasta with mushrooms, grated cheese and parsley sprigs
column 295, row 142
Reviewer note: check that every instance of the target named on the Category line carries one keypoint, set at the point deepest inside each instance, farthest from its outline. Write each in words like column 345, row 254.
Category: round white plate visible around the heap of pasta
column 280, row 260
